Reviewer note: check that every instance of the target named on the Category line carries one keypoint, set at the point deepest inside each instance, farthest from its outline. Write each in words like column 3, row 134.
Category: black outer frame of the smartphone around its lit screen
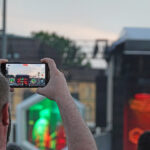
column 3, row 71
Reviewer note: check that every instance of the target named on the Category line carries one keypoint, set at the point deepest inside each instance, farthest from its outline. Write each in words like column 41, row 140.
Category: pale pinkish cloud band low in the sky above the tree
column 23, row 26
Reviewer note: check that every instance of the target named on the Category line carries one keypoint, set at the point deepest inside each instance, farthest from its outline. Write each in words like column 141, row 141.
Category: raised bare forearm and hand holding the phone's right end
column 78, row 135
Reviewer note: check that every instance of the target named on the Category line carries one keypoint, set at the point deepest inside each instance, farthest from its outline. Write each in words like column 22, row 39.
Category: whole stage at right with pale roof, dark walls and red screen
column 126, row 98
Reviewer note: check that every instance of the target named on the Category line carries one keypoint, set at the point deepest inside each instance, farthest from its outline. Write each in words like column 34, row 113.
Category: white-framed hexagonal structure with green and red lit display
column 39, row 125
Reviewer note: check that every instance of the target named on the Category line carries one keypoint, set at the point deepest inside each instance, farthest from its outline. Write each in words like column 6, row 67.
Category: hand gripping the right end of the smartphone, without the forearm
column 56, row 88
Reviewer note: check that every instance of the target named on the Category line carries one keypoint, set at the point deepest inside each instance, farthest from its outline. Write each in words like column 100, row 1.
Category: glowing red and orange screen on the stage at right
column 136, row 119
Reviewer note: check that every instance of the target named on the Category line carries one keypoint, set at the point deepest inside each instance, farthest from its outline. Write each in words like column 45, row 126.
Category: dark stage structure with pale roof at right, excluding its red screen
column 128, row 73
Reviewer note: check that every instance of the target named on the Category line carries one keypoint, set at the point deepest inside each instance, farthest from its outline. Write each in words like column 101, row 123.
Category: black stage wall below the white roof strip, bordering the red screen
column 132, row 77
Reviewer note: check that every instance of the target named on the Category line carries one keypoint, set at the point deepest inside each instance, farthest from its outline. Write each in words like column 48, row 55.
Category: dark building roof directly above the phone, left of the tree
column 24, row 49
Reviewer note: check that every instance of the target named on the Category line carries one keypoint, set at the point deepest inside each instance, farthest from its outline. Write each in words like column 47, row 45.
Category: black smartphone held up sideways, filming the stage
column 24, row 75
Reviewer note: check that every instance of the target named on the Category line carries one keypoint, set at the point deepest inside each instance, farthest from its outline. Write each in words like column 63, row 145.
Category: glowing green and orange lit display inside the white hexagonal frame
column 43, row 125
